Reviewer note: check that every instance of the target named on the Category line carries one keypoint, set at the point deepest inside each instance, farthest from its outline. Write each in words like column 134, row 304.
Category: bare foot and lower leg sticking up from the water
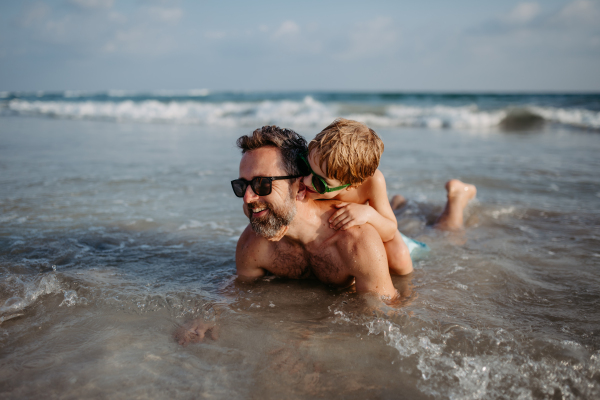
column 459, row 195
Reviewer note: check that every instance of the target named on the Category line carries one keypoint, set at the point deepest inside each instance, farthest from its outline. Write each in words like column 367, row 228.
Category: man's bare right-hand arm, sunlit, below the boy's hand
column 362, row 250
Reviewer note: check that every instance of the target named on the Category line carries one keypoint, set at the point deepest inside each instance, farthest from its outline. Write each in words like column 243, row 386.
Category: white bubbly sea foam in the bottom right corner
column 505, row 374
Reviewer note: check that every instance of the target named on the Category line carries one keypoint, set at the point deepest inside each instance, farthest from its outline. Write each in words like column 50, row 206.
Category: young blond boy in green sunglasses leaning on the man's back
column 343, row 159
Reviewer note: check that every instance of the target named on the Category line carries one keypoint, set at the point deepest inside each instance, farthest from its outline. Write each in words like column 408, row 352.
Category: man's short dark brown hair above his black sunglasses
column 287, row 141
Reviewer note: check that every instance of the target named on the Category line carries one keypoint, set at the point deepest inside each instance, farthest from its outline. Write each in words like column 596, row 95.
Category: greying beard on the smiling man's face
column 271, row 224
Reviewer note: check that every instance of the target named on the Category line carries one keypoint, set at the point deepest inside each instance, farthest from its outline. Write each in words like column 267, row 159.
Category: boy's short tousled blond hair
column 349, row 149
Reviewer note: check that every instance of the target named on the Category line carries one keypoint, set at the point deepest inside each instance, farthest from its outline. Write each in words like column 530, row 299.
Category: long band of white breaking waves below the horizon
column 306, row 112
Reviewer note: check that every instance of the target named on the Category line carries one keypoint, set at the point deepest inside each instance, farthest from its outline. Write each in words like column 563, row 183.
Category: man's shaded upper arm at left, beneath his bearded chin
column 249, row 254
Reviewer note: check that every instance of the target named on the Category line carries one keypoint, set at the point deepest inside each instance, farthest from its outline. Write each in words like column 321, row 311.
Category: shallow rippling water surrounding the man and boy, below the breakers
column 113, row 234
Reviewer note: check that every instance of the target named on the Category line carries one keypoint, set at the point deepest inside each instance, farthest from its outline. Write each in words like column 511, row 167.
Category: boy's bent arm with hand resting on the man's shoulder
column 378, row 213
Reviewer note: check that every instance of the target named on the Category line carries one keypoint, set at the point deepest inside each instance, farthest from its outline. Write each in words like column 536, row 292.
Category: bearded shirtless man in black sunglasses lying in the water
column 289, row 234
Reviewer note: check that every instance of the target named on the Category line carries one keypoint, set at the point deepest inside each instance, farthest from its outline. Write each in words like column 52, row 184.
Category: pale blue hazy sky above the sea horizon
column 448, row 46
